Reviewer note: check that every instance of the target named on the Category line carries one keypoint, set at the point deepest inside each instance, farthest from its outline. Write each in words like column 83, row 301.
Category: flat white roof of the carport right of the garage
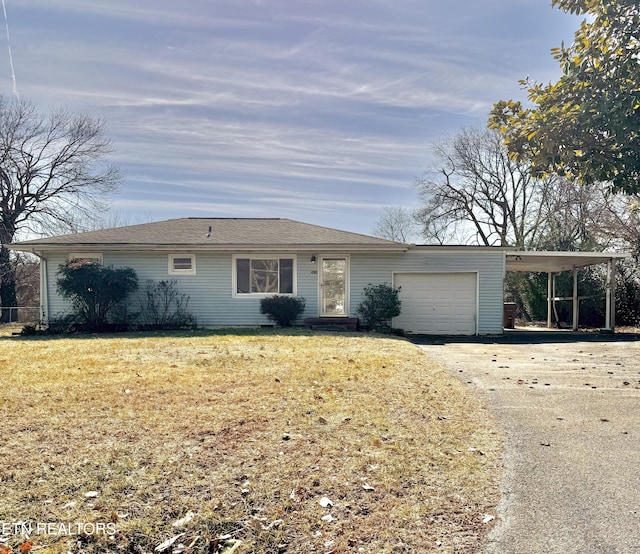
column 554, row 262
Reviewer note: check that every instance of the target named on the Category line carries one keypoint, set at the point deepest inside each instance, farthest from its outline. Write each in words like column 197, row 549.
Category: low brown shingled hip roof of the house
column 214, row 234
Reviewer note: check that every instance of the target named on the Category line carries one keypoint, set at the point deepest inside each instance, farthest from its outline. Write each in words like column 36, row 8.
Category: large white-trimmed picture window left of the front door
column 264, row 275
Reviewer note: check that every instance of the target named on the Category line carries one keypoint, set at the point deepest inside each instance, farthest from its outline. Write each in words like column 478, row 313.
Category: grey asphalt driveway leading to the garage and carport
column 571, row 408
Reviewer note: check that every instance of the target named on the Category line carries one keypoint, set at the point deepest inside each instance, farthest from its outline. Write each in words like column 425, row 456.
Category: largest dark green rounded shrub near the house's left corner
column 95, row 291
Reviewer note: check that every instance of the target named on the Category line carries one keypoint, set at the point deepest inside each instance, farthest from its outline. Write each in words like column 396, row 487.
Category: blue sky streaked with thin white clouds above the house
column 322, row 111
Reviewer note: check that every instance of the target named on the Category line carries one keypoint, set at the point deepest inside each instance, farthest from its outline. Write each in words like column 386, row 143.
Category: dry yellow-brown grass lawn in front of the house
column 241, row 435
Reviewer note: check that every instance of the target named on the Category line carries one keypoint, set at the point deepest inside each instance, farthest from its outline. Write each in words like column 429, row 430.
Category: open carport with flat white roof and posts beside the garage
column 553, row 263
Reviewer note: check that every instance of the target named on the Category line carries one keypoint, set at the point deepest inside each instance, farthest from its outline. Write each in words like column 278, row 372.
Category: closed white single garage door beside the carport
column 437, row 303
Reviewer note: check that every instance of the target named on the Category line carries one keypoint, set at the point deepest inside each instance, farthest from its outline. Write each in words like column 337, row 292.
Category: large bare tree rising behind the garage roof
column 478, row 191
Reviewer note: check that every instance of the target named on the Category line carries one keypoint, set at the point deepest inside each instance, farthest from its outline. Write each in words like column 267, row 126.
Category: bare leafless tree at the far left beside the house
column 51, row 170
